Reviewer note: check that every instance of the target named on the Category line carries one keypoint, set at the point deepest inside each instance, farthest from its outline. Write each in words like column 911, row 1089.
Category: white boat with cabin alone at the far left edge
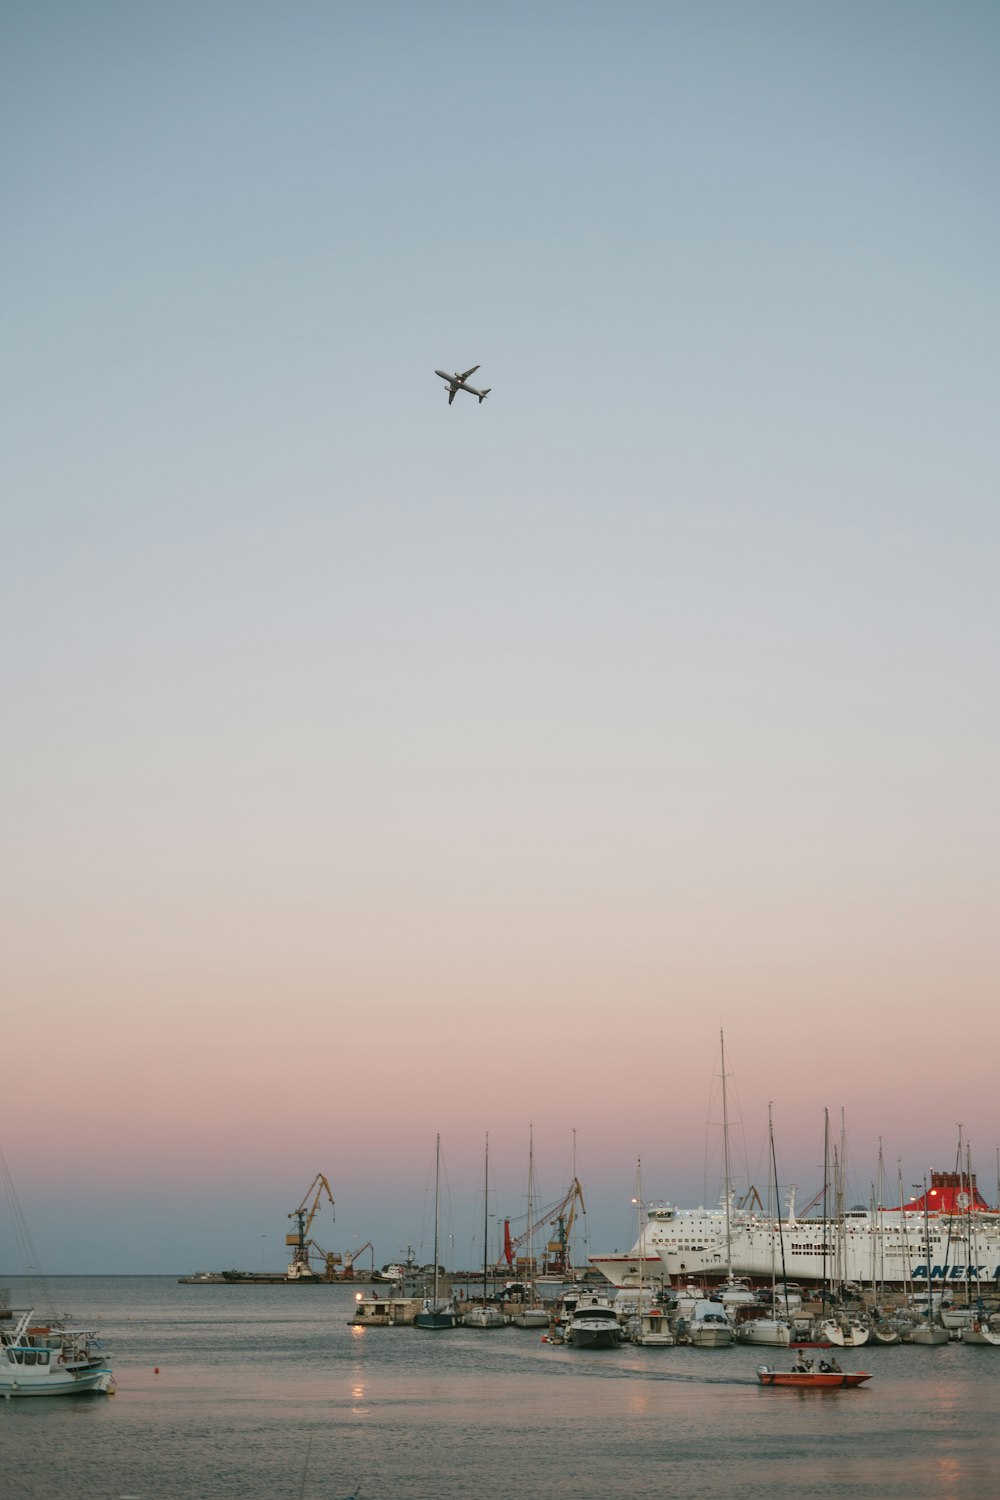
column 52, row 1360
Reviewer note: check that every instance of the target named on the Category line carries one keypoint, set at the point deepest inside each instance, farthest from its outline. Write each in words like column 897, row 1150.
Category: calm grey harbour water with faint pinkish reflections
column 232, row 1393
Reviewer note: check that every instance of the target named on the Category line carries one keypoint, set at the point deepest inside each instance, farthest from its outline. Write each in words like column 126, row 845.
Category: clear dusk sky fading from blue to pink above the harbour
column 374, row 769
